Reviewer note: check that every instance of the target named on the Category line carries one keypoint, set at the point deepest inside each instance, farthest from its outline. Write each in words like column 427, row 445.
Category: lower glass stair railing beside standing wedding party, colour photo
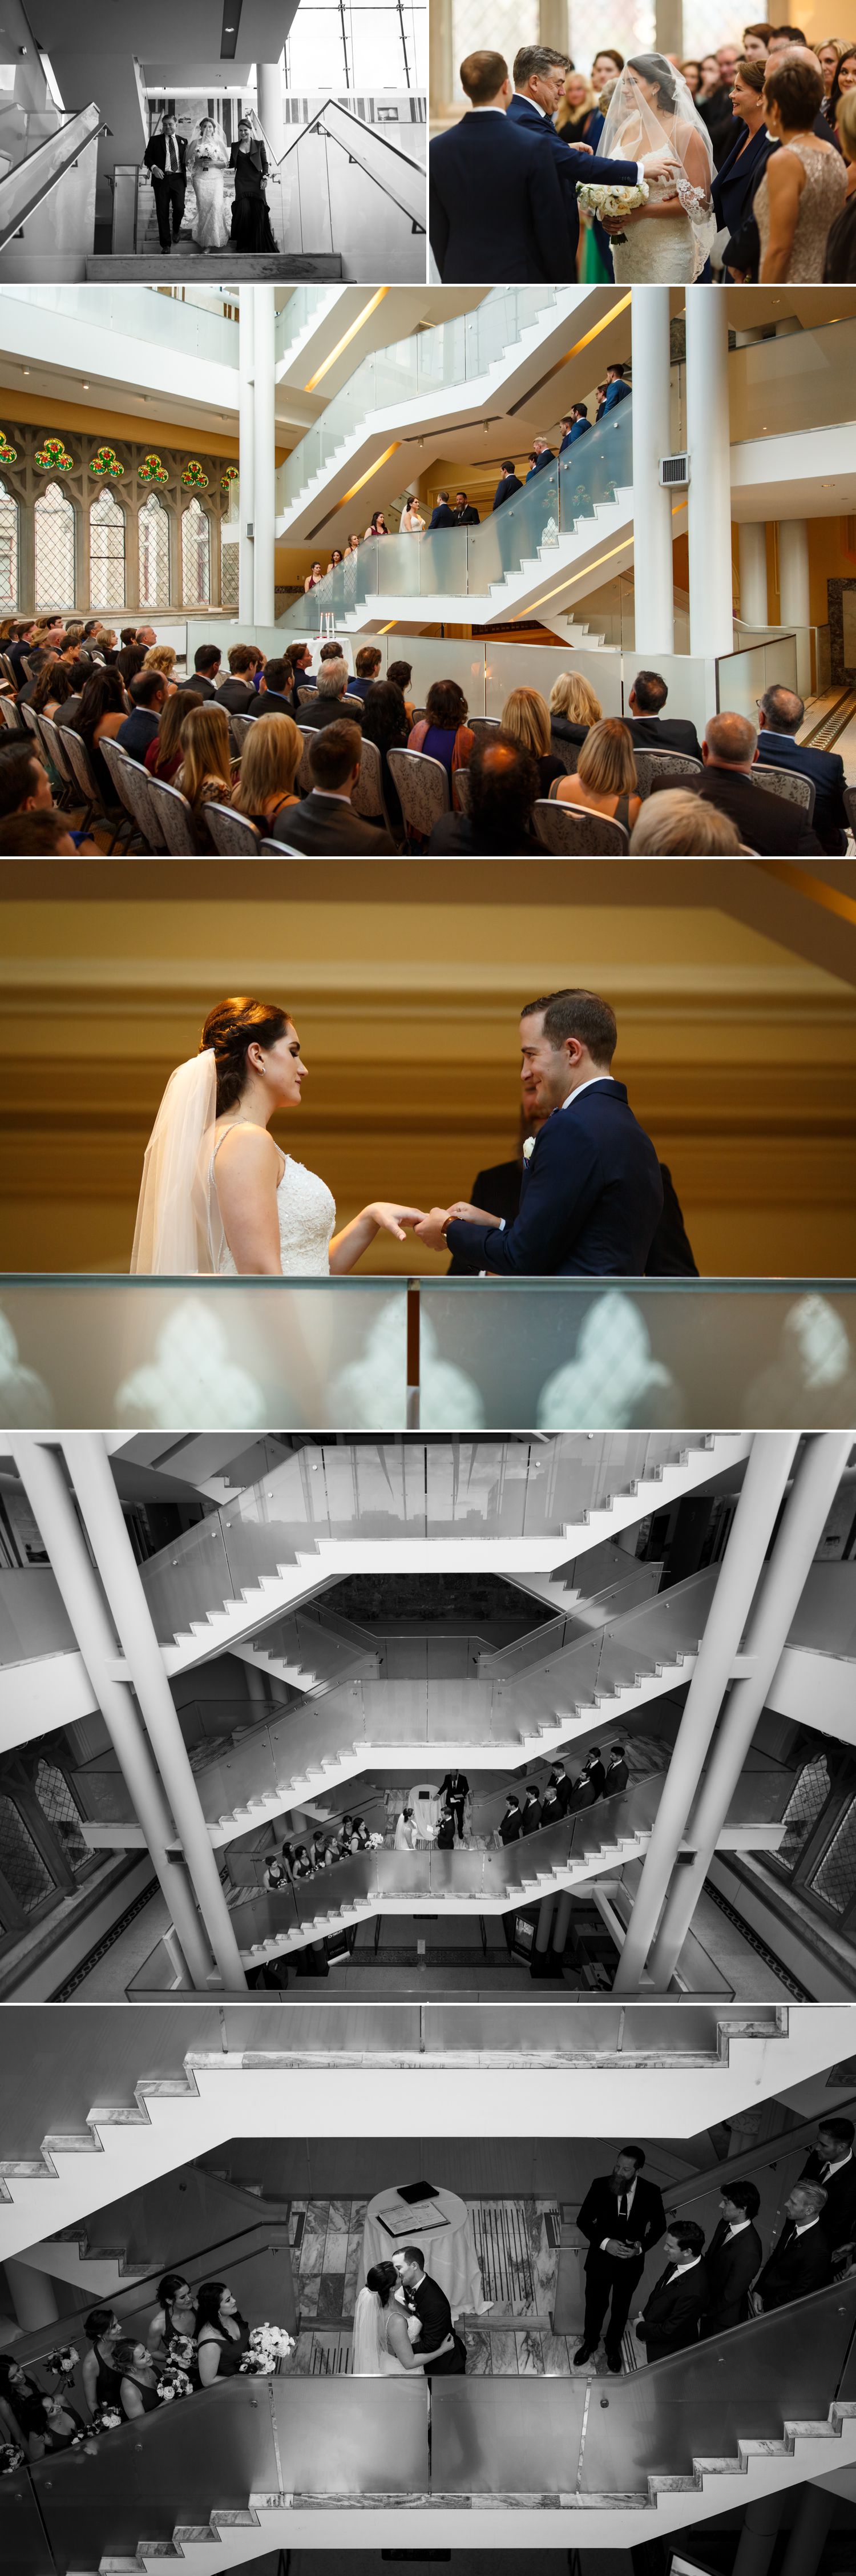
column 450, row 563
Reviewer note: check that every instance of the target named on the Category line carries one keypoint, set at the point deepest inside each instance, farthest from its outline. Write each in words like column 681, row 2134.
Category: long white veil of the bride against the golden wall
column 179, row 1233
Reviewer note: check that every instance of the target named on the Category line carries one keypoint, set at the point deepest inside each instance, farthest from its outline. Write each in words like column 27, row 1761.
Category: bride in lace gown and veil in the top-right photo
column 672, row 236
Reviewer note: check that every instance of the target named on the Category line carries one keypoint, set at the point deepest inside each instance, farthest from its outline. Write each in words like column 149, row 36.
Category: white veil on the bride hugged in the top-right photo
column 641, row 122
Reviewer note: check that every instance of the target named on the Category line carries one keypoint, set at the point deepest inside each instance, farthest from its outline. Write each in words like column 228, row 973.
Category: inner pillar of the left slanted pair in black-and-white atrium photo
column 133, row 1622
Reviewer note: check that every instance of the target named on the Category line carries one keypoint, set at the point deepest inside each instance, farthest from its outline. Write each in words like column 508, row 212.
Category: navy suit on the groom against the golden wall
column 592, row 1197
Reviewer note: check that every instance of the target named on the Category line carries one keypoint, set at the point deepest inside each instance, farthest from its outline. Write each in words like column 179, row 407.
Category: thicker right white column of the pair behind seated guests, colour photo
column 710, row 491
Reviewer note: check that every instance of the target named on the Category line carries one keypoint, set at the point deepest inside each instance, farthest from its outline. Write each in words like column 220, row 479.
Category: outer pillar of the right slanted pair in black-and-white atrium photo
column 811, row 1501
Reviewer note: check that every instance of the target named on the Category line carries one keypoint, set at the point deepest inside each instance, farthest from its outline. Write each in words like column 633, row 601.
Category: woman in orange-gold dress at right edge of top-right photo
column 803, row 187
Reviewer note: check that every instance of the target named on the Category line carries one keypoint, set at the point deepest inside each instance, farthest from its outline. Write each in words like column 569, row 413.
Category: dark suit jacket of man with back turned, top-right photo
column 496, row 207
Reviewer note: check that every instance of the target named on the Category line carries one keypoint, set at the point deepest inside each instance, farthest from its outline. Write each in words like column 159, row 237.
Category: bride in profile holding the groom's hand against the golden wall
column 218, row 1194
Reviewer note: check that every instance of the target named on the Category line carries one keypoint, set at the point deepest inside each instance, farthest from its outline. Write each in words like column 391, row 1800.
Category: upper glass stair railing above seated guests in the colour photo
column 429, row 362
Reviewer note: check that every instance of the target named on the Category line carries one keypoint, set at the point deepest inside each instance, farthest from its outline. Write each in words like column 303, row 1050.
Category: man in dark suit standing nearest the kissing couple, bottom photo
column 623, row 2219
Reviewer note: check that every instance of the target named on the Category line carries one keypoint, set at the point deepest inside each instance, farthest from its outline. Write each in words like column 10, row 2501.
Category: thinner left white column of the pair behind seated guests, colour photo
column 654, row 506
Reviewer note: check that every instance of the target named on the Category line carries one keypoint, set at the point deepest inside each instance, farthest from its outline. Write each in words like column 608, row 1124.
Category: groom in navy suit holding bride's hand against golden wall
column 592, row 1191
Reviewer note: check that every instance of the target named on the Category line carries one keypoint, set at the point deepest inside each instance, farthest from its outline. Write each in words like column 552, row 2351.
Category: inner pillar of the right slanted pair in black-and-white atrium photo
column 741, row 1567
